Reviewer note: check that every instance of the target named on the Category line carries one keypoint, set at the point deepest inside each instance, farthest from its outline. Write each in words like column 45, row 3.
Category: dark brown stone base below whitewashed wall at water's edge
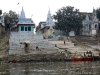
column 37, row 57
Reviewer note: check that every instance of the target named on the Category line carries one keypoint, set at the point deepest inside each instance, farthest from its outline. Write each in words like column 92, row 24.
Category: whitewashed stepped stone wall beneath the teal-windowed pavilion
column 17, row 38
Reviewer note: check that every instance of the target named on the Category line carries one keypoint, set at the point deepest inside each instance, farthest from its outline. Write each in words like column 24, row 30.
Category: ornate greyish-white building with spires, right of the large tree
column 90, row 26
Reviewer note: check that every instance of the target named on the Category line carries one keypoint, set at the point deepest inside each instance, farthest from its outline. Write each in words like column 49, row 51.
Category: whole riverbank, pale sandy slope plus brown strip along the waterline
column 63, row 52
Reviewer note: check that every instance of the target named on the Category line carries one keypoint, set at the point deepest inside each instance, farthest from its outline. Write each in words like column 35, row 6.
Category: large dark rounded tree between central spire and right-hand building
column 67, row 19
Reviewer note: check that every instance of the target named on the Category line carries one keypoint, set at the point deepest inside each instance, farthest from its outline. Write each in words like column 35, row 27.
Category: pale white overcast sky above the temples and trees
column 39, row 8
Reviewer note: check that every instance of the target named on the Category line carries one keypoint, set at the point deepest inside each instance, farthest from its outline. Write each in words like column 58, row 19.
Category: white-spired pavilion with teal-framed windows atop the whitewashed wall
column 25, row 24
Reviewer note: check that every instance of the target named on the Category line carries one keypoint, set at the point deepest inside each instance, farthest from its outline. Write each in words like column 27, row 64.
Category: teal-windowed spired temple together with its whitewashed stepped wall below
column 25, row 34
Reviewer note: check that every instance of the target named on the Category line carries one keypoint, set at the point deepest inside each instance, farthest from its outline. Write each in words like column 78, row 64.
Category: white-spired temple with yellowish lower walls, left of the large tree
column 47, row 28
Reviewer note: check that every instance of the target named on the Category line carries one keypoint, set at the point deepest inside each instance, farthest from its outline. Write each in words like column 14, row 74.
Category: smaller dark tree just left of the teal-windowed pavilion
column 11, row 19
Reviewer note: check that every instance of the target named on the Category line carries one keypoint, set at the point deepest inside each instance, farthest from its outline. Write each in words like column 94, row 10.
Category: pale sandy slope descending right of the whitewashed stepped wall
column 75, row 50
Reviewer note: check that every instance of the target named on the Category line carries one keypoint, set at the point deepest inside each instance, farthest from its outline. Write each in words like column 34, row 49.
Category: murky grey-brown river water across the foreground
column 50, row 68
